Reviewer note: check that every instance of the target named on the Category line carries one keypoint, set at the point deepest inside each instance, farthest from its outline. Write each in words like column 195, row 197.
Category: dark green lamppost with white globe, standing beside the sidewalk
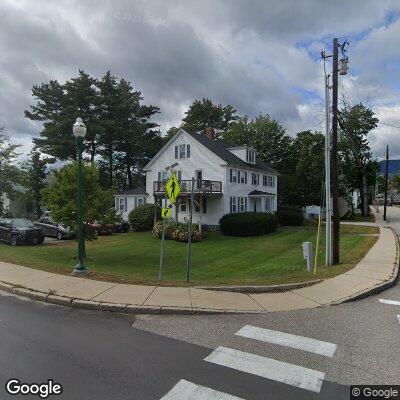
column 79, row 130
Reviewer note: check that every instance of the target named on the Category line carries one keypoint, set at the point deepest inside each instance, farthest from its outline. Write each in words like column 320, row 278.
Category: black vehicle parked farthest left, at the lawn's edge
column 20, row 230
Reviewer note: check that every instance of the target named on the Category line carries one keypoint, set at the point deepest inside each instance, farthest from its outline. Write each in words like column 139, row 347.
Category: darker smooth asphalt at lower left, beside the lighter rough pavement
column 101, row 356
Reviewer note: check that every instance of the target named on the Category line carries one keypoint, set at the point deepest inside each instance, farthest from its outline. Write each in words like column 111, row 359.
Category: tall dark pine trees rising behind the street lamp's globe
column 119, row 129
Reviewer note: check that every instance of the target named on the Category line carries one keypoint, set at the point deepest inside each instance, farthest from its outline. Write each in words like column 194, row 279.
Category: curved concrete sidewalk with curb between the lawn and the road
column 376, row 271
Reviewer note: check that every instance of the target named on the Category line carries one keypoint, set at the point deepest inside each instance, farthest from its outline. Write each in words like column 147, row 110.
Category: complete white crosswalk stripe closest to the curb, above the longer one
column 289, row 340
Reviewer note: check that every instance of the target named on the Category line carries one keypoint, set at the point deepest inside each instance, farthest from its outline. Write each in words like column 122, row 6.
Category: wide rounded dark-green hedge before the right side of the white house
column 248, row 224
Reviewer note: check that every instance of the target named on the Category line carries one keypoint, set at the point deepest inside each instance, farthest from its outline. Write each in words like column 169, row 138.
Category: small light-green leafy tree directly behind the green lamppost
column 61, row 197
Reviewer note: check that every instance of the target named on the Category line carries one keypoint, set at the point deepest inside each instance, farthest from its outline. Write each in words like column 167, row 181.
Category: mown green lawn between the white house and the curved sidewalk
column 134, row 257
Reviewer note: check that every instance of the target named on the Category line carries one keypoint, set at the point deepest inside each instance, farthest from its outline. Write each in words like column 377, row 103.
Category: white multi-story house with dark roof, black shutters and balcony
column 226, row 179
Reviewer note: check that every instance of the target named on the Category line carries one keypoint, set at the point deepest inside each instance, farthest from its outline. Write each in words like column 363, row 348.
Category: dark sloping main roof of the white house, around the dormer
column 220, row 148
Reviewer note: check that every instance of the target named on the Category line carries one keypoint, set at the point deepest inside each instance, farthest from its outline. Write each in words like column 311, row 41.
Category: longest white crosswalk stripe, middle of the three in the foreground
column 279, row 371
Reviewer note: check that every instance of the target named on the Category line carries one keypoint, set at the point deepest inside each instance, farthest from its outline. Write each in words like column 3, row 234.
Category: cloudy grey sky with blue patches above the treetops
column 259, row 56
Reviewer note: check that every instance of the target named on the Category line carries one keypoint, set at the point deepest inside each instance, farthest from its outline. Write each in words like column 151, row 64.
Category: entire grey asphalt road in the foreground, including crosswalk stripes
column 306, row 354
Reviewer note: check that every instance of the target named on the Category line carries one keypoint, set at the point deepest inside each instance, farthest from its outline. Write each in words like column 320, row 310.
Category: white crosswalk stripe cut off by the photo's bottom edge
column 185, row 390
